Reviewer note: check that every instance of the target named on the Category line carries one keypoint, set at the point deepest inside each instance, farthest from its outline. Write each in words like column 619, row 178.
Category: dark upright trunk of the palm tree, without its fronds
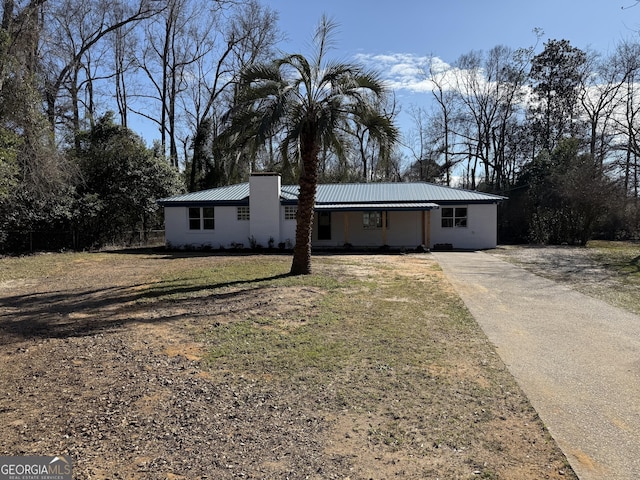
column 301, row 264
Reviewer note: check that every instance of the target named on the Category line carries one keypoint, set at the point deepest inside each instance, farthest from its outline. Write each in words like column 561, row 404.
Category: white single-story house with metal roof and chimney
column 363, row 215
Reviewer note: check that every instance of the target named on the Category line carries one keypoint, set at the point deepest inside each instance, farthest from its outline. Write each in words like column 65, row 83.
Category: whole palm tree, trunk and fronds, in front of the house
column 312, row 103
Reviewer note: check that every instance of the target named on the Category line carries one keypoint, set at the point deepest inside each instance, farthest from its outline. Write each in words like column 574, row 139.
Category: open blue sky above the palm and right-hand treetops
column 408, row 31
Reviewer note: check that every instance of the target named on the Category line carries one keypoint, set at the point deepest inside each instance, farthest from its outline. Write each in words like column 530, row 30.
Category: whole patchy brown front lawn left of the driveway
column 187, row 366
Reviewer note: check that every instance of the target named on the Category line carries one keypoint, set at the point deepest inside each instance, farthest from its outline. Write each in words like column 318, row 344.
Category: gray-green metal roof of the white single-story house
column 370, row 194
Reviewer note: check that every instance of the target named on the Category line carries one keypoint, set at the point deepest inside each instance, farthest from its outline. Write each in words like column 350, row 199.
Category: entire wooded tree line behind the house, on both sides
column 554, row 128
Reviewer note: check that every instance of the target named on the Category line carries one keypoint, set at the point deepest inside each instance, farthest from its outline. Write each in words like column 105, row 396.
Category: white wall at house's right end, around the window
column 480, row 233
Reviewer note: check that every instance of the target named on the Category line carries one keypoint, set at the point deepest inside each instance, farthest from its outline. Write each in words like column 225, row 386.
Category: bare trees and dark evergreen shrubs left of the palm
column 72, row 75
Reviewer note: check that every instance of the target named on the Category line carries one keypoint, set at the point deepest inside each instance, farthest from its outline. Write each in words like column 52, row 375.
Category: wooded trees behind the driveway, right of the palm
column 555, row 131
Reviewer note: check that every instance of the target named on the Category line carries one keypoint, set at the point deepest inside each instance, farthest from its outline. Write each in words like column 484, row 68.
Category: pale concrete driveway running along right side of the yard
column 576, row 358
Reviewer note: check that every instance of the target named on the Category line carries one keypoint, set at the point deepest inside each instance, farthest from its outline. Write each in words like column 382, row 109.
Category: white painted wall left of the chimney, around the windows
column 228, row 229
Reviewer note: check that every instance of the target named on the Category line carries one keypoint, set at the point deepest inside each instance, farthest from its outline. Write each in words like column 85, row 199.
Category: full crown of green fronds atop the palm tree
column 296, row 95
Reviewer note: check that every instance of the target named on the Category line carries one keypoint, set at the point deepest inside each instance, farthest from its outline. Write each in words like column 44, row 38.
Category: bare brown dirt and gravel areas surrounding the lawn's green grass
column 89, row 369
